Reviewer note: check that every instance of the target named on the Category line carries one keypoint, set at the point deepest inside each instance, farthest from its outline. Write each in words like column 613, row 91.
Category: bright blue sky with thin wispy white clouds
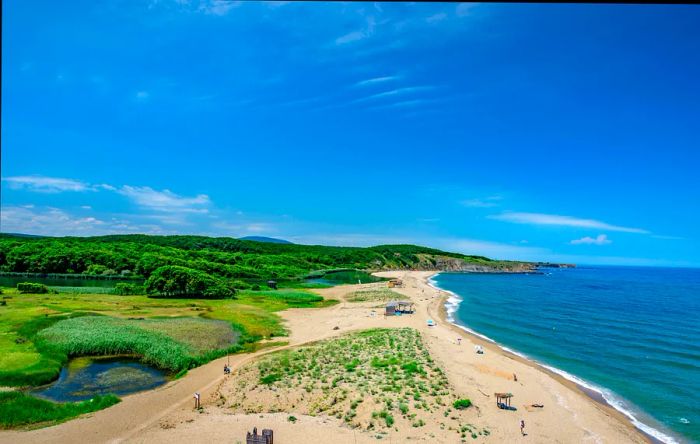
column 535, row 132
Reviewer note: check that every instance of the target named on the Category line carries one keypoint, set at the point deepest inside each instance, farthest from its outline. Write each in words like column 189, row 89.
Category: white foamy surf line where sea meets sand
column 452, row 305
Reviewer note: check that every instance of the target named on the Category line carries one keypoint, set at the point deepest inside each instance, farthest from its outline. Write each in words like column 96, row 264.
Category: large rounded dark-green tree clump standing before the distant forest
column 176, row 281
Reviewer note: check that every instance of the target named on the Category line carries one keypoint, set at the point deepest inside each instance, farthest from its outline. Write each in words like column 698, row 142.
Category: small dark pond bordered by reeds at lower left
column 84, row 378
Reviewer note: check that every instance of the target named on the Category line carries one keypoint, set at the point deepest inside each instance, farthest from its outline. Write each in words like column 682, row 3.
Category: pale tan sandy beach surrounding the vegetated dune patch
column 167, row 415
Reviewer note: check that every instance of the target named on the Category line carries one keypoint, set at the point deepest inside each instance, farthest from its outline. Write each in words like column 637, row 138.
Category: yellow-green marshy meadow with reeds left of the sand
column 38, row 333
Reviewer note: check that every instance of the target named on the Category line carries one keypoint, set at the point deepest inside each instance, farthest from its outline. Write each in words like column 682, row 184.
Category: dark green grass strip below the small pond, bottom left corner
column 18, row 409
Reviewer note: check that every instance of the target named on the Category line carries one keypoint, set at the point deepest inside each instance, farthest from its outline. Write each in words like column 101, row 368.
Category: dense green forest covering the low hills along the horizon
column 139, row 256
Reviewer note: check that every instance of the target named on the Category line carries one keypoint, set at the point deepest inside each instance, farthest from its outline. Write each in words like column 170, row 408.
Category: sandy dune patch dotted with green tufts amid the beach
column 376, row 380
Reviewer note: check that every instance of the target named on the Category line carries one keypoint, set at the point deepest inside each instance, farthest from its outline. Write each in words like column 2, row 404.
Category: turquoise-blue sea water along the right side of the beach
column 631, row 333
